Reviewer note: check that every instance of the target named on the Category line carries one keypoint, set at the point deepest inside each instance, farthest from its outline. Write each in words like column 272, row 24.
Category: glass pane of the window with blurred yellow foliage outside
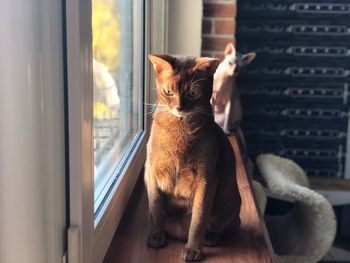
column 118, row 88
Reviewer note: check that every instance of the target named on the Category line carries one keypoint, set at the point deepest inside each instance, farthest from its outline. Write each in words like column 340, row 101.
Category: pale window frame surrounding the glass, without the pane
column 87, row 241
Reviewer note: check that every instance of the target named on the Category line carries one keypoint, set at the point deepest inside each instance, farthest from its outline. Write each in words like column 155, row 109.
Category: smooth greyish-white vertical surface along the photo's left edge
column 32, row 197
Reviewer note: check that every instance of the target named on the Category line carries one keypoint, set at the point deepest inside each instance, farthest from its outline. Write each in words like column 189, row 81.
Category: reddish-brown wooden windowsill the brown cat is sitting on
column 250, row 244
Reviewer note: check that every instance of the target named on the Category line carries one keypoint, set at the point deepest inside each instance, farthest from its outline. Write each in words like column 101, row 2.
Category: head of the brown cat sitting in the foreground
column 184, row 84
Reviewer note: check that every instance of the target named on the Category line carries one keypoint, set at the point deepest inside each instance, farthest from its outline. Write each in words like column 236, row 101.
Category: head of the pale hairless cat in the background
column 234, row 61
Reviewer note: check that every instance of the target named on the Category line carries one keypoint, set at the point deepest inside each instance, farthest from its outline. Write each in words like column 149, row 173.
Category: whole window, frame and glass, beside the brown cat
column 108, row 83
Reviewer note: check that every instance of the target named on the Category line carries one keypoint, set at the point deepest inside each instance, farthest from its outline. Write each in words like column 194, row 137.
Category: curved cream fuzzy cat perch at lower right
column 306, row 233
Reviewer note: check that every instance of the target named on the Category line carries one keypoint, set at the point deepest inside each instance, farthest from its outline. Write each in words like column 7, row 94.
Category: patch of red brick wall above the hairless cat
column 218, row 26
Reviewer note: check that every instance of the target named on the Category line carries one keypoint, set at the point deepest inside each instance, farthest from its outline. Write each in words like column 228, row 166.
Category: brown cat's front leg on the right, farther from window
column 201, row 211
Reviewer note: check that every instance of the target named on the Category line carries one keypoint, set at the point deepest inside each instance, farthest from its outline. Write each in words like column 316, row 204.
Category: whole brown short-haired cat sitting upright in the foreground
column 190, row 167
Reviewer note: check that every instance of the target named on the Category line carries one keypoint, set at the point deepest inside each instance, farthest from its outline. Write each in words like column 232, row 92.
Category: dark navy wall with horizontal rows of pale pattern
column 295, row 94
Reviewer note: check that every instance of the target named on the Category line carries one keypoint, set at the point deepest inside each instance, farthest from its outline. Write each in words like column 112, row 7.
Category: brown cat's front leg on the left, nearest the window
column 156, row 237
